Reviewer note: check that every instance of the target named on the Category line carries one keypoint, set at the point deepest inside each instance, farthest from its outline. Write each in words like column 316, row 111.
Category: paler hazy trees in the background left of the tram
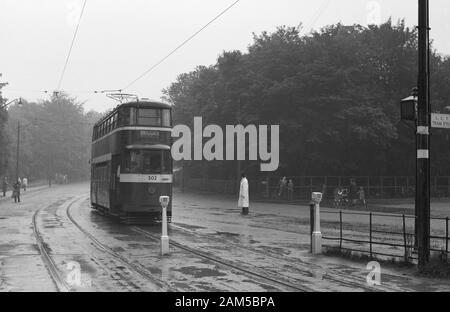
column 55, row 137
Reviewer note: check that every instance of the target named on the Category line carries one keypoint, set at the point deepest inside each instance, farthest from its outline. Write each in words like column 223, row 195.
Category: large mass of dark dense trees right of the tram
column 335, row 94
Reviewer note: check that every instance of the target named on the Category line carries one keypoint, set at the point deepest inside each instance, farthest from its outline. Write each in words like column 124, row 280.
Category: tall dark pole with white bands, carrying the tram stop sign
column 423, row 139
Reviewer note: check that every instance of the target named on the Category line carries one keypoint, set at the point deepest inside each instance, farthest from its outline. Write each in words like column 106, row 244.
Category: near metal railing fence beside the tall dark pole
column 391, row 236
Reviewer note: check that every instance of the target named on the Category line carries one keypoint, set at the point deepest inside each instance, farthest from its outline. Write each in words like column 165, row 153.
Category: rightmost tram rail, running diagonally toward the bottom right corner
column 336, row 277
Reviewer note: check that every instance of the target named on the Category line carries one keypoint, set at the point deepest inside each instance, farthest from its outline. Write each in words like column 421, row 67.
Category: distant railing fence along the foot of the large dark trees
column 382, row 186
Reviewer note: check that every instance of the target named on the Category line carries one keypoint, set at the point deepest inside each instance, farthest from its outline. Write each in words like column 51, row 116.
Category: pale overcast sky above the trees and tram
column 118, row 40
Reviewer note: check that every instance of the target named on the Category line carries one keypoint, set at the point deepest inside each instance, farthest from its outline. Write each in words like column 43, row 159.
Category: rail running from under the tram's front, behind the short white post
column 248, row 272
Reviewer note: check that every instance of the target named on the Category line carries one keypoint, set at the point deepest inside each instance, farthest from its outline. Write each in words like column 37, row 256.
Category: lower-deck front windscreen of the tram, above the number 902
column 146, row 161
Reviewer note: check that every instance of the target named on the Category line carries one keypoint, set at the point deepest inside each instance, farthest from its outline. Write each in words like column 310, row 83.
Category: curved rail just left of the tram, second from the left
column 133, row 266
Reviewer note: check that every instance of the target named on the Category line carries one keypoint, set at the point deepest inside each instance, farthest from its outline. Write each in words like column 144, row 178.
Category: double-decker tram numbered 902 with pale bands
column 131, row 165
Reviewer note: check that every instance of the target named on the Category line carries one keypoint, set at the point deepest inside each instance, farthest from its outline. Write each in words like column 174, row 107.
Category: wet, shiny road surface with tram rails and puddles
column 53, row 241
